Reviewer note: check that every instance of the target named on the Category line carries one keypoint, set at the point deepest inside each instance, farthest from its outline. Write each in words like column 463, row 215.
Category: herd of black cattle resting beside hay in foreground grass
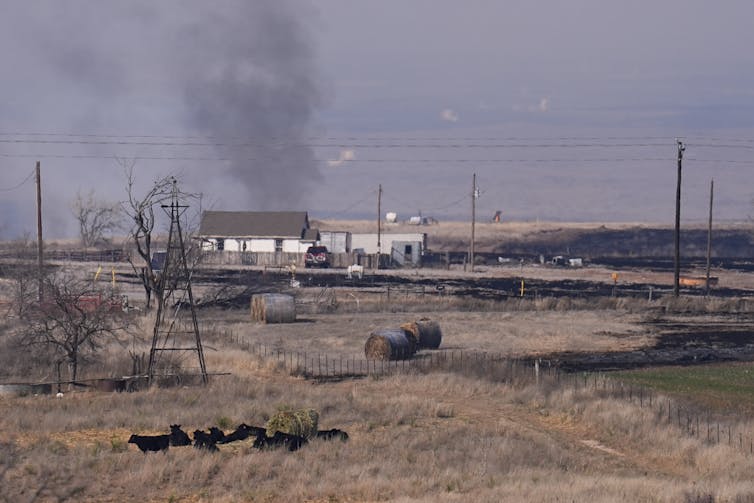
column 208, row 440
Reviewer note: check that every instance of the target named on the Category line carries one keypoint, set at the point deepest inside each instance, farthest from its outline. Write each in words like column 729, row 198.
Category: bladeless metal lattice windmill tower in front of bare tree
column 175, row 282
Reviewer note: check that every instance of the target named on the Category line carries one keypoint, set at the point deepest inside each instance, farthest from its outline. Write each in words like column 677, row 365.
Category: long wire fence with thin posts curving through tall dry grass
column 692, row 421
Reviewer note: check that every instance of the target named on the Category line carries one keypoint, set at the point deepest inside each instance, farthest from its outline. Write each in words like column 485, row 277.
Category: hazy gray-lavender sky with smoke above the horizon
column 565, row 110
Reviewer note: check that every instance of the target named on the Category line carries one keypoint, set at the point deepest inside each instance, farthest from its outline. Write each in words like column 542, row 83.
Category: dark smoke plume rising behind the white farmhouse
column 252, row 85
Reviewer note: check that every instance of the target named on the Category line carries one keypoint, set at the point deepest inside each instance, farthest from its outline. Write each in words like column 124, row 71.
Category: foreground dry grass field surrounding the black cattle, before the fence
column 419, row 437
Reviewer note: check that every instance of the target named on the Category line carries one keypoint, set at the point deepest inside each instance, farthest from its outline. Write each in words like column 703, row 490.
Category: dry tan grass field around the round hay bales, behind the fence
column 513, row 334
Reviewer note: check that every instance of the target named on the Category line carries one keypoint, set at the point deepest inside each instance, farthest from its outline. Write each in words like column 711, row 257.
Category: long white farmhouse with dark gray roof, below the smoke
column 257, row 231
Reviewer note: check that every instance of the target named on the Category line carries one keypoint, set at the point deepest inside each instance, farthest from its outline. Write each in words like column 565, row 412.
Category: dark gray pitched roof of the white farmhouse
column 250, row 224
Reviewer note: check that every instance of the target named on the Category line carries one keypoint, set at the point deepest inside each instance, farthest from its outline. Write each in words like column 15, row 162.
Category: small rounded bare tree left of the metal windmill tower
column 74, row 322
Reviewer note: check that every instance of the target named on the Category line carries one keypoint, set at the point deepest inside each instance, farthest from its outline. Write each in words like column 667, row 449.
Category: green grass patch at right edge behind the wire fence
column 723, row 387
